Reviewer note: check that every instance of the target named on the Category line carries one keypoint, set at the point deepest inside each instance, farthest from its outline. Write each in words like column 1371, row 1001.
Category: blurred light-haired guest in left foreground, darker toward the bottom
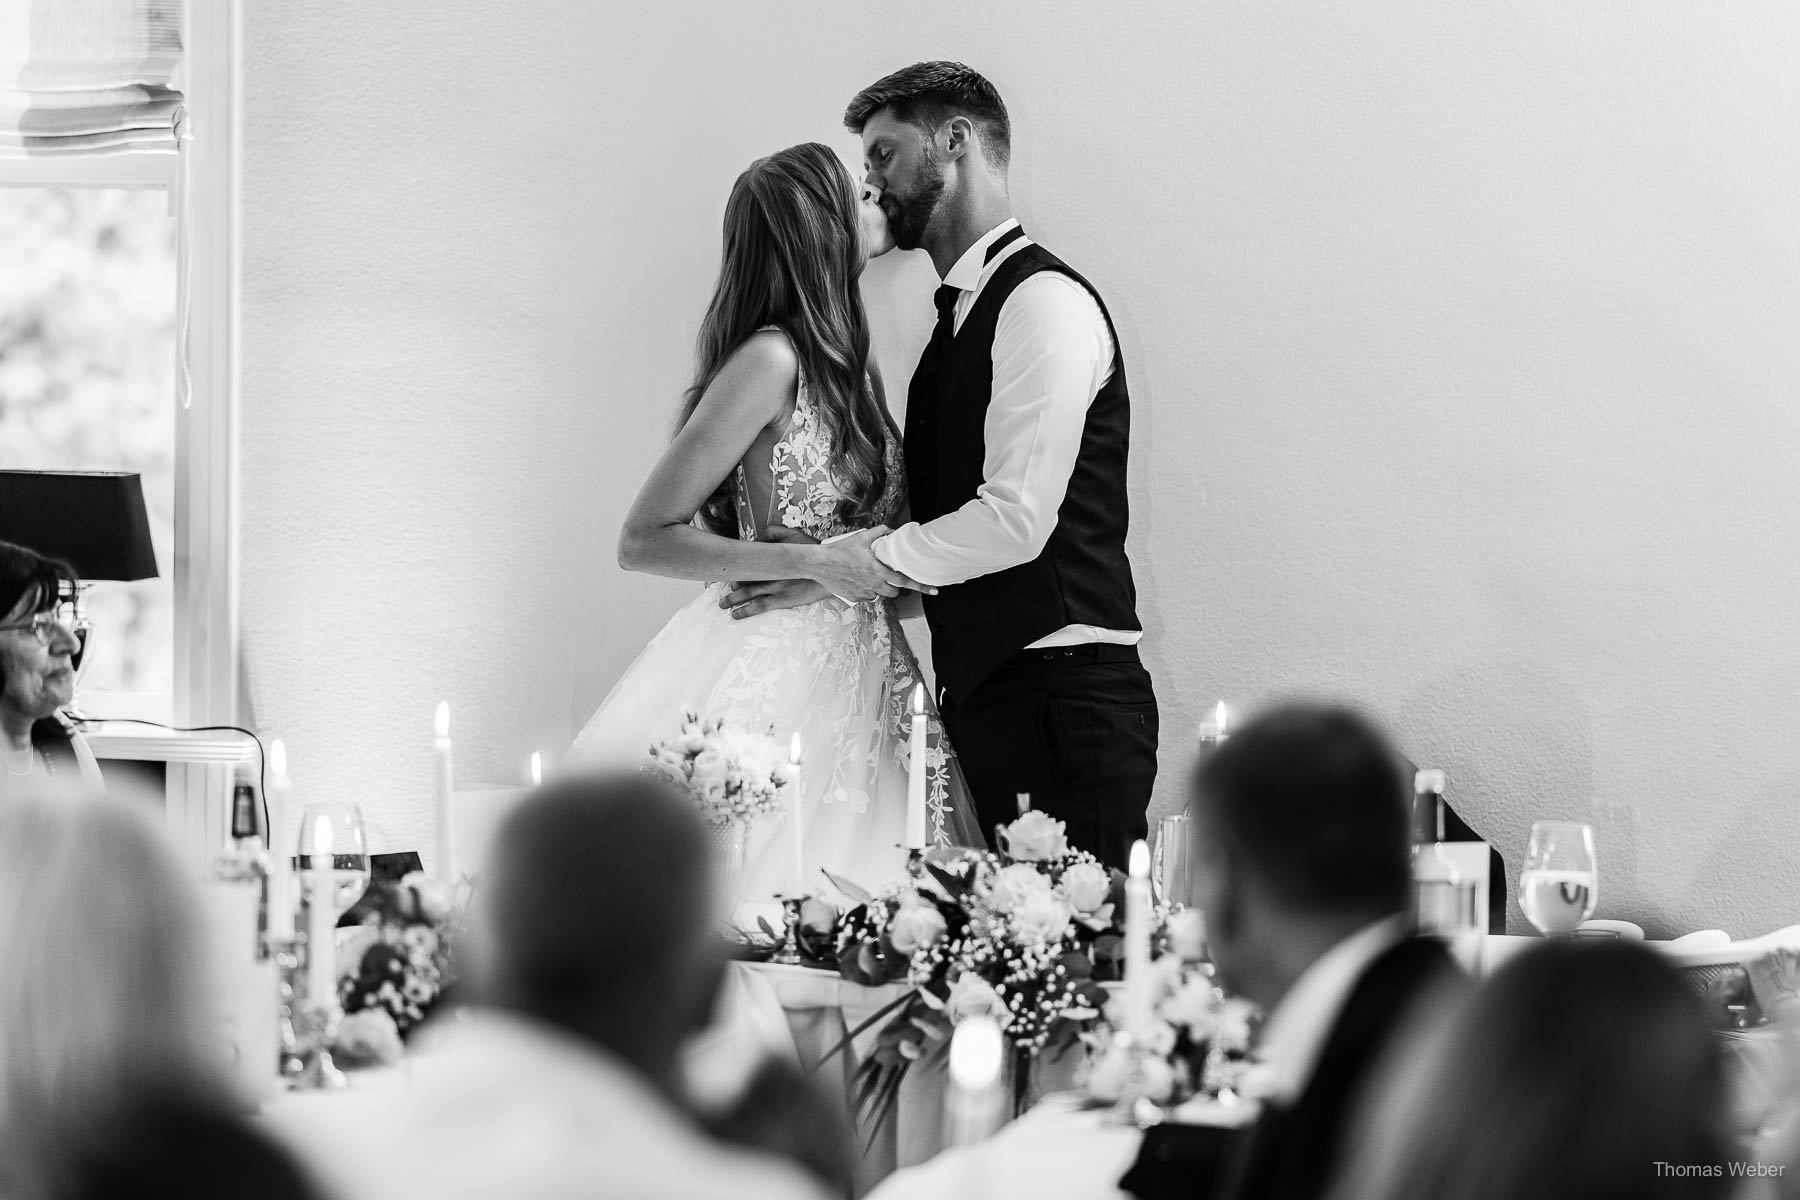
column 111, row 1070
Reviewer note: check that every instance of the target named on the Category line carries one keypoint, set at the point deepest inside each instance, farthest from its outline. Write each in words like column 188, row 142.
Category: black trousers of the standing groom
column 1075, row 728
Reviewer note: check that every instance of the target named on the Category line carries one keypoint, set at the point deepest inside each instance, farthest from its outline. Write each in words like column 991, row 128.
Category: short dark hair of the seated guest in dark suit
column 1315, row 801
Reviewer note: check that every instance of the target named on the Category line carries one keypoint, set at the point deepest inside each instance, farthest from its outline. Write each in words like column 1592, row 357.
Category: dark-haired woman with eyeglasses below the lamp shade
column 39, row 746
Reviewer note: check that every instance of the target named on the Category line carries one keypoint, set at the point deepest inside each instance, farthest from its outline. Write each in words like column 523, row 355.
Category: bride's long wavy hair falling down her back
column 793, row 256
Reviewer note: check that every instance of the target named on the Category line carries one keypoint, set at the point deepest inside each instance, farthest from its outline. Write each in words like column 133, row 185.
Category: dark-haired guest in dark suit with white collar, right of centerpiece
column 1304, row 877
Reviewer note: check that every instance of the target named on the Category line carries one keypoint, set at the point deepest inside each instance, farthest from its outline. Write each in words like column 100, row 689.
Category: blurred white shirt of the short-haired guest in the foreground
column 507, row 1107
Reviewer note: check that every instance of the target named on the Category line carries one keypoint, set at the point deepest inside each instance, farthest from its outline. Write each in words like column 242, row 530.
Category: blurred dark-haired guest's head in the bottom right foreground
column 1581, row 1071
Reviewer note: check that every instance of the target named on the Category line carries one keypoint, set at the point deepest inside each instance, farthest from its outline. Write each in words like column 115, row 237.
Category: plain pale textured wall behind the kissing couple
column 1462, row 348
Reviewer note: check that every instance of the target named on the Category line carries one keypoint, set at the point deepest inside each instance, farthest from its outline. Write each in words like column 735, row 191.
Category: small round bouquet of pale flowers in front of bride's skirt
column 733, row 775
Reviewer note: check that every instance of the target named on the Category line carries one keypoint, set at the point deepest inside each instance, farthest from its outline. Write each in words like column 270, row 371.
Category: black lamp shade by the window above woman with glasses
column 93, row 519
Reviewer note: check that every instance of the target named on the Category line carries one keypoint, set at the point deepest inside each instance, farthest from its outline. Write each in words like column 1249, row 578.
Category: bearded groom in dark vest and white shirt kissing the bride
column 1016, row 438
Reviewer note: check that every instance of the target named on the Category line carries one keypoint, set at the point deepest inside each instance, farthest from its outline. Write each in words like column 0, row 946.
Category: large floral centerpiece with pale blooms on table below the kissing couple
column 1027, row 936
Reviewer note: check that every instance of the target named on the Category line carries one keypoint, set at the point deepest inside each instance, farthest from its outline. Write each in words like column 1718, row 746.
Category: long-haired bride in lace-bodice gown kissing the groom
column 786, row 445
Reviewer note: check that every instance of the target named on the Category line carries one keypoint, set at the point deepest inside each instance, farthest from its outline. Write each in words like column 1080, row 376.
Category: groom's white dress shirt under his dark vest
column 1052, row 355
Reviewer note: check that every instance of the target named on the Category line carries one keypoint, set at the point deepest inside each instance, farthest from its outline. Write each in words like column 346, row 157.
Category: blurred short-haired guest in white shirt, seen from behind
column 591, row 962
